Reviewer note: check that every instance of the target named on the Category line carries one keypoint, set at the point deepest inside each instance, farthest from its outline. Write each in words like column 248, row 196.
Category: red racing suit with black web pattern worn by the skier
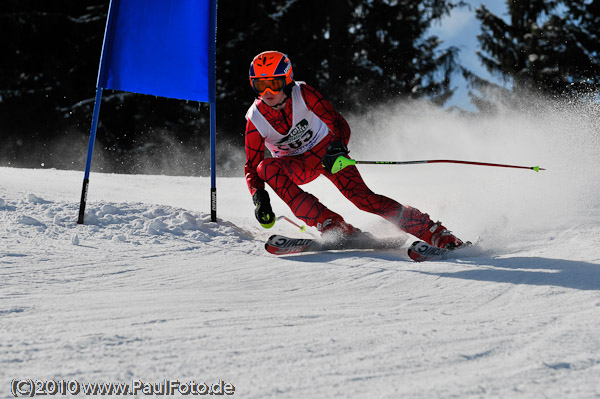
column 286, row 173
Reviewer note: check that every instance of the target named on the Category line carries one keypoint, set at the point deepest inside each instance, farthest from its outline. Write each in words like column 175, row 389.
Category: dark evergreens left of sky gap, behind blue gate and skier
column 355, row 52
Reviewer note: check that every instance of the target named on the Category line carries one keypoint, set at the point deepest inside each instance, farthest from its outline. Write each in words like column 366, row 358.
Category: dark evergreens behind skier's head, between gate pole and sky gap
column 357, row 53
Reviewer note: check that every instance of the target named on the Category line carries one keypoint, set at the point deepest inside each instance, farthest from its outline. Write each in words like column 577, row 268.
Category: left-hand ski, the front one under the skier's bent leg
column 282, row 245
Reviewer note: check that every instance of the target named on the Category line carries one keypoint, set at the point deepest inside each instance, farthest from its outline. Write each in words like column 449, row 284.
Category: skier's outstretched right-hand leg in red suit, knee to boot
column 408, row 219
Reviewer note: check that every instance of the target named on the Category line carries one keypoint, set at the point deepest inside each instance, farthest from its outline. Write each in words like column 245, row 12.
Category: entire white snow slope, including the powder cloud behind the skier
column 149, row 289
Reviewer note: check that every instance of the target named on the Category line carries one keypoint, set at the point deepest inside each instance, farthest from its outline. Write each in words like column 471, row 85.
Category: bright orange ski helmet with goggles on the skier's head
column 270, row 70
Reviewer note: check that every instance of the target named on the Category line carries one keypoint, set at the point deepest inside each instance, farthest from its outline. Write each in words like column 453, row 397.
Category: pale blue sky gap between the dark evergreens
column 460, row 29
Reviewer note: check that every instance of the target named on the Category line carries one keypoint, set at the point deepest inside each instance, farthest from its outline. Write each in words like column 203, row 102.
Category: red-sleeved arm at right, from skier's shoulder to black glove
column 339, row 128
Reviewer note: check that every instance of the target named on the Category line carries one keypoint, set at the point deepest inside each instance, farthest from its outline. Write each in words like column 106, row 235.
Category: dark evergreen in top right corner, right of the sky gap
column 547, row 46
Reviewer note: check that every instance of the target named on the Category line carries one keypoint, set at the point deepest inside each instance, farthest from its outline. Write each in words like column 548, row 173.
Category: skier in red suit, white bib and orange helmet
column 305, row 135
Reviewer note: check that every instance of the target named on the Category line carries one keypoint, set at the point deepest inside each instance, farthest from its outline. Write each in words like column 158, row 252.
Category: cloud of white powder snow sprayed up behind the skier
column 493, row 204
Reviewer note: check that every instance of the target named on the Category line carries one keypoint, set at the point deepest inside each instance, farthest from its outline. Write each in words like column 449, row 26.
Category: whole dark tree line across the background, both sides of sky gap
column 358, row 53
